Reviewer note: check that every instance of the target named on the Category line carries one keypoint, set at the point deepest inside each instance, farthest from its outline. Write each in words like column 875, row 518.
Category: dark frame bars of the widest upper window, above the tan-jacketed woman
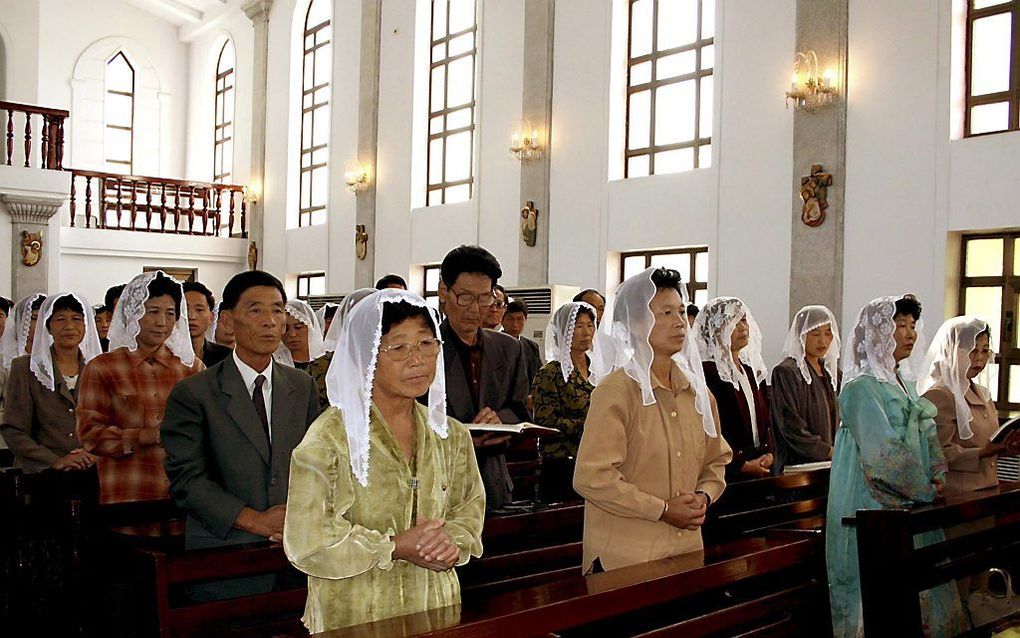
column 654, row 85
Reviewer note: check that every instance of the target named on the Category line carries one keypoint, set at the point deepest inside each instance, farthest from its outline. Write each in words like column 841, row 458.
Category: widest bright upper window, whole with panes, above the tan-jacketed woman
column 671, row 58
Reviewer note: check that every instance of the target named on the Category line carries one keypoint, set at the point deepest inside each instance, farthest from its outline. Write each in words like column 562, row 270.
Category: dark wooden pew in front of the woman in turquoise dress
column 892, row 606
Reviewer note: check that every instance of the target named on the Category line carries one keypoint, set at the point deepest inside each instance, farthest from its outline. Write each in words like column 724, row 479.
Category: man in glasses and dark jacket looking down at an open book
column 486, row 371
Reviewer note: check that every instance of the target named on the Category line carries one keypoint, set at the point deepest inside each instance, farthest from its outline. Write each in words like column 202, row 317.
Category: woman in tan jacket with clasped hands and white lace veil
column 651, row 461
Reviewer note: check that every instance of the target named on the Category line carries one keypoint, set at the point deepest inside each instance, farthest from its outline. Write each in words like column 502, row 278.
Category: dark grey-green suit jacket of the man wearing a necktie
column 218, row 459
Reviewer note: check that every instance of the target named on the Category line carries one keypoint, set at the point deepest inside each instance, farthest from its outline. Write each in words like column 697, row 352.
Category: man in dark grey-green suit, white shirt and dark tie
column 229, row 432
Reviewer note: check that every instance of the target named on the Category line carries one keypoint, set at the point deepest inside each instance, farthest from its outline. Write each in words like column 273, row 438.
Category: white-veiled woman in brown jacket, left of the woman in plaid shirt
column 39, row 421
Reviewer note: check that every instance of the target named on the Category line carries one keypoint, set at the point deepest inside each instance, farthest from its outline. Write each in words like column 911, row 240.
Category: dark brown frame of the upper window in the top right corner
column 1012, row 94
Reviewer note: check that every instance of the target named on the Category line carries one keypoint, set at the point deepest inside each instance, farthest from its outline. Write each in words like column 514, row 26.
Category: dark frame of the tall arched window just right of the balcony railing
column 307, row 216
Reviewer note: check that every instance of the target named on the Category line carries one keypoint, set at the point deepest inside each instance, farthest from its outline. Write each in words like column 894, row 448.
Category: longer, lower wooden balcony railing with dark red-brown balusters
column 123, row 203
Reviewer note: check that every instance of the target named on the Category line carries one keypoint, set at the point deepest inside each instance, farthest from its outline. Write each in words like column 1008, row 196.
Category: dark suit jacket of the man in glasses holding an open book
column 503, row 387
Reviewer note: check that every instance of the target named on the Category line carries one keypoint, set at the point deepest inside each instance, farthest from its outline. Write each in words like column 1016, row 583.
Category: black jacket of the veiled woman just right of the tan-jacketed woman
column 736, row 418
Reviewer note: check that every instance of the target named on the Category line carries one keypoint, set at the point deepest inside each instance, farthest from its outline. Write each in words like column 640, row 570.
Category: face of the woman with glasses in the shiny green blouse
column 406, row 363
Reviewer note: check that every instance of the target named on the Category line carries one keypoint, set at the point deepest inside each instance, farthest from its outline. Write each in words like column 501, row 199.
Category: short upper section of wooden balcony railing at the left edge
column 49, row 125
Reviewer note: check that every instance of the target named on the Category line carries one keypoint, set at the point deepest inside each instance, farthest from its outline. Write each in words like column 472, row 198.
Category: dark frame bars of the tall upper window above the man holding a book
column 444, row 134
